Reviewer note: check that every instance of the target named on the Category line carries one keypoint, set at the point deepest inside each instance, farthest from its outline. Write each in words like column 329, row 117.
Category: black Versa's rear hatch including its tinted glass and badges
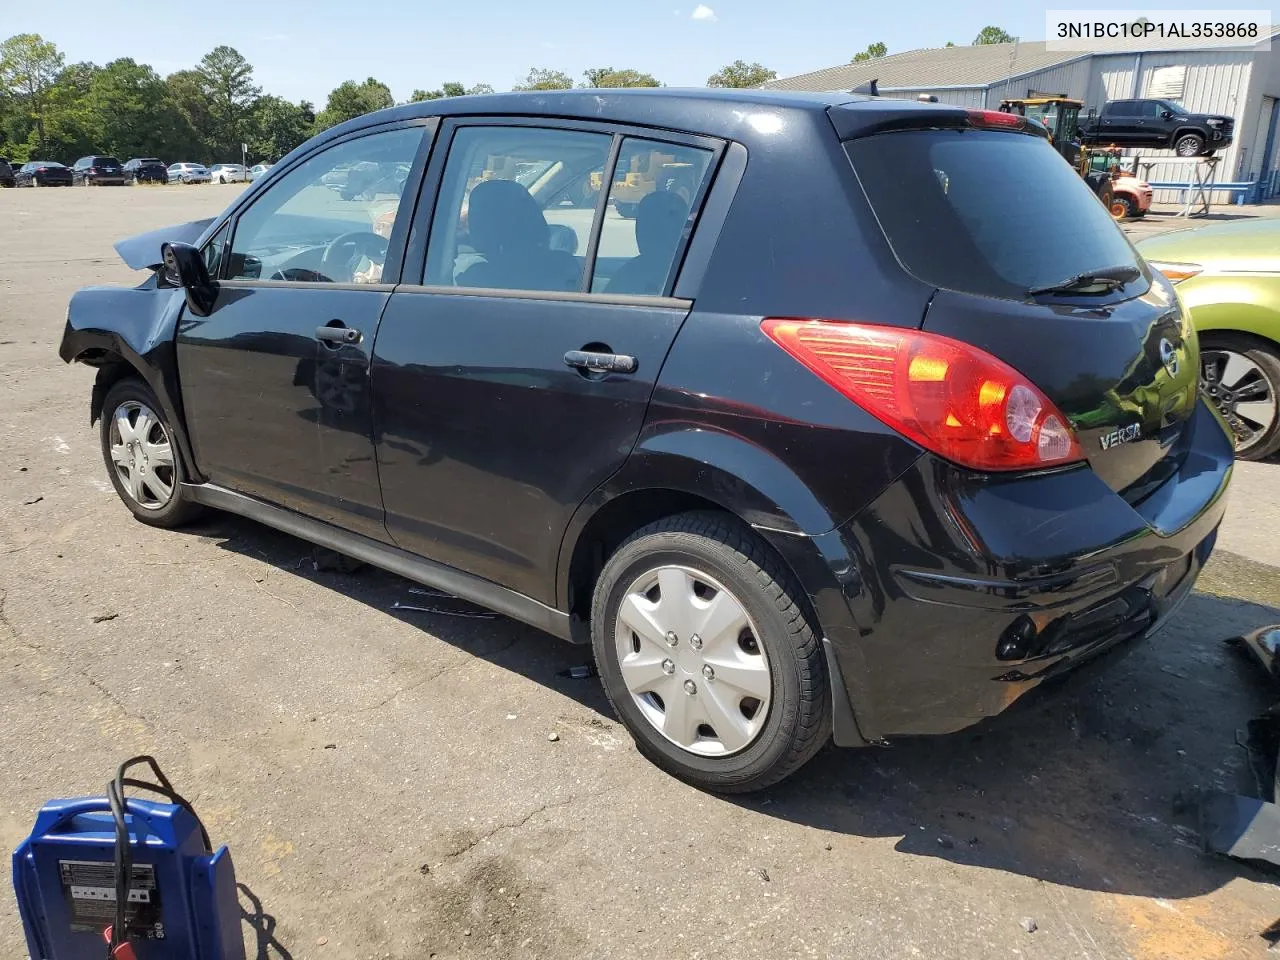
column 1032, row 269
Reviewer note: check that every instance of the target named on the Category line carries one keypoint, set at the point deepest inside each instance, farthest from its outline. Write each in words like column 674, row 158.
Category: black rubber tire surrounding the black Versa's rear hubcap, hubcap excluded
column 799, row 715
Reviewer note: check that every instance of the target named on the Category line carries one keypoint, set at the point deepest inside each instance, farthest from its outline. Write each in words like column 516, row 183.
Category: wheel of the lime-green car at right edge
column 1241, row 377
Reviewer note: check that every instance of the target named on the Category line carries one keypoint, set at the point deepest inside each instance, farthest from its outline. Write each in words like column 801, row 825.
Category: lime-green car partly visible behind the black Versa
column 1228, row 275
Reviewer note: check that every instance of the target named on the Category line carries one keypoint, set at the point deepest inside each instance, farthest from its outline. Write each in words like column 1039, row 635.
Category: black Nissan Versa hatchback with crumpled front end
column 839, row 437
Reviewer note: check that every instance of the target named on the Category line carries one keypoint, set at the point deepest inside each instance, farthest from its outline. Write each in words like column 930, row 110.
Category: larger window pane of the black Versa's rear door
column 516, row 209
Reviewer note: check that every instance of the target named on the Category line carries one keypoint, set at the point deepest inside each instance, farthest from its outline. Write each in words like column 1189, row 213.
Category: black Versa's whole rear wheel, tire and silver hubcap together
column 707, row 655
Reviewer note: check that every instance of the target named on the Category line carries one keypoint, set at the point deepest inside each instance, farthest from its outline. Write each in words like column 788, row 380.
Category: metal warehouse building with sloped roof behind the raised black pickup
column 1241, row 84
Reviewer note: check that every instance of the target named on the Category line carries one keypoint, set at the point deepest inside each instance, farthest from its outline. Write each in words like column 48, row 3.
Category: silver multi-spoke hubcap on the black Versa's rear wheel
column 692, row 660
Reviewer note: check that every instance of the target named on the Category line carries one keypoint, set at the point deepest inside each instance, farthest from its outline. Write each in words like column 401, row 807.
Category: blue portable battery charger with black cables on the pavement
column 180, row 902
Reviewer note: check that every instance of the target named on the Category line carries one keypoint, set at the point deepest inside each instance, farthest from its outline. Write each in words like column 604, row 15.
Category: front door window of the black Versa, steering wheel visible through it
column 331, row 218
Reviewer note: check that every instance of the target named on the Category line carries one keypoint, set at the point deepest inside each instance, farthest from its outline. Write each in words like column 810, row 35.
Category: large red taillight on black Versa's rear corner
column 948, row 396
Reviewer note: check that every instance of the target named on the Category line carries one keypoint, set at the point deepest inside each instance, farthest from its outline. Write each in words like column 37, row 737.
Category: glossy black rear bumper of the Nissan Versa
column 954, row 596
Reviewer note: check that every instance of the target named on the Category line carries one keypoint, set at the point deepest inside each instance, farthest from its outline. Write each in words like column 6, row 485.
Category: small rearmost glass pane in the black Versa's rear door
column 653, row 193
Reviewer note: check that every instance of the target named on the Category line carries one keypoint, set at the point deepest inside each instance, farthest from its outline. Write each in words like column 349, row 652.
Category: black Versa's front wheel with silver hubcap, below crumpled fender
column 141, row 456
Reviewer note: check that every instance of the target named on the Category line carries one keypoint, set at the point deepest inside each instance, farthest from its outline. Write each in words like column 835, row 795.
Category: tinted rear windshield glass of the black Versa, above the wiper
column 995, row 214
